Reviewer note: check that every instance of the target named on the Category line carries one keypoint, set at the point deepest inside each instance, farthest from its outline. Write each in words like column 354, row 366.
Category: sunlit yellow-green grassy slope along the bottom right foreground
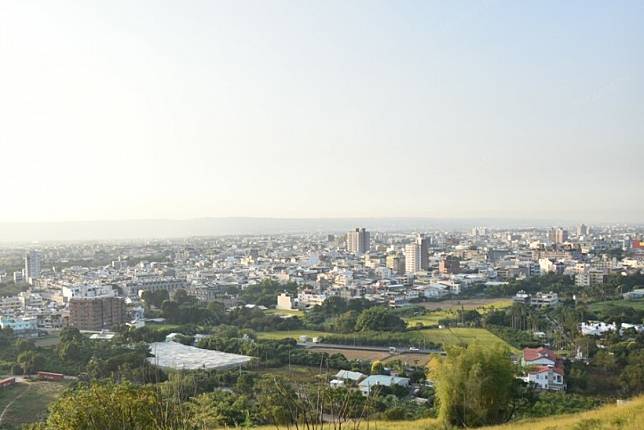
column 629, row 416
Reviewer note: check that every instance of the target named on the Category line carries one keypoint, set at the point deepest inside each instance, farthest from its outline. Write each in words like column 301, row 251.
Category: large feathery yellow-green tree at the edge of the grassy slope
column 476, row 386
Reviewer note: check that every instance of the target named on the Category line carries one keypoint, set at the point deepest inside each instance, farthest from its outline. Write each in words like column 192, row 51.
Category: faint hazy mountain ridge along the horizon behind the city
column 159, row 228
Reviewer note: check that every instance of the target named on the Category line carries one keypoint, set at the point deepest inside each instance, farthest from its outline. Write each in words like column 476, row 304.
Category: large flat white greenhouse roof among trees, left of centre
column 178, row 356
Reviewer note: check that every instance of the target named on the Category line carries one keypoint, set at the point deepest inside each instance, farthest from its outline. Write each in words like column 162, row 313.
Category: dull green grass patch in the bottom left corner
column 27, row 402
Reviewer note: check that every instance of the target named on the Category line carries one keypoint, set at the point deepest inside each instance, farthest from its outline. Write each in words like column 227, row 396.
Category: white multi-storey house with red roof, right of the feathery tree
column 543, row 368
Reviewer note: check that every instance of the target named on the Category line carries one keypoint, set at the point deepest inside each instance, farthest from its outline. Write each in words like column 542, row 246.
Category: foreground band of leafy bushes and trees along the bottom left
column 196, row 401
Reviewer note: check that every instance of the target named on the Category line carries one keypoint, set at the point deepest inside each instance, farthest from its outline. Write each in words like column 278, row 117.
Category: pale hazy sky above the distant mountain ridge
column 180, row 109
